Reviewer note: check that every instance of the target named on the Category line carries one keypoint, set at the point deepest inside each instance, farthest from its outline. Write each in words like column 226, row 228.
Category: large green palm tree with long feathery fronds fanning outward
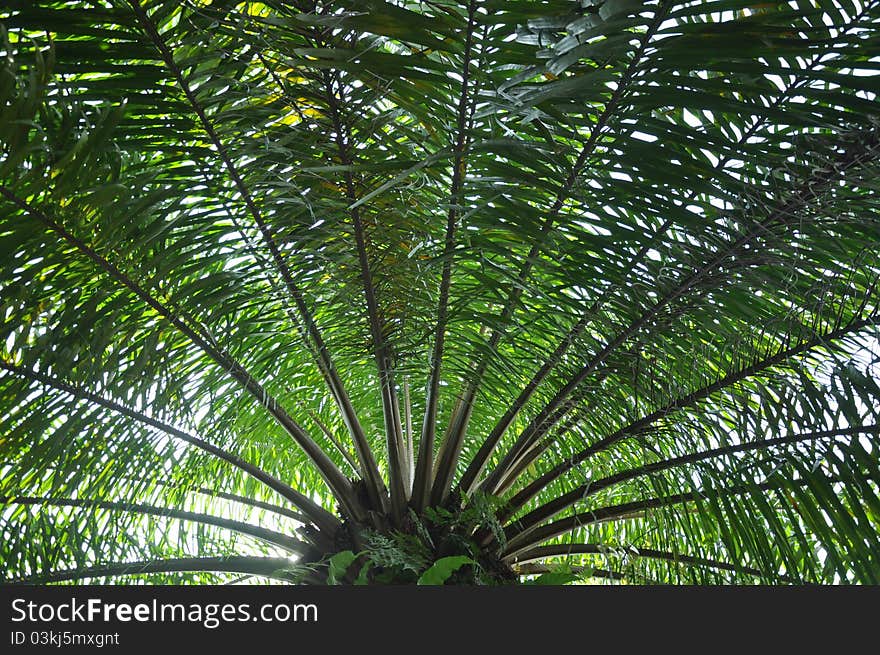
column 440, row 291
